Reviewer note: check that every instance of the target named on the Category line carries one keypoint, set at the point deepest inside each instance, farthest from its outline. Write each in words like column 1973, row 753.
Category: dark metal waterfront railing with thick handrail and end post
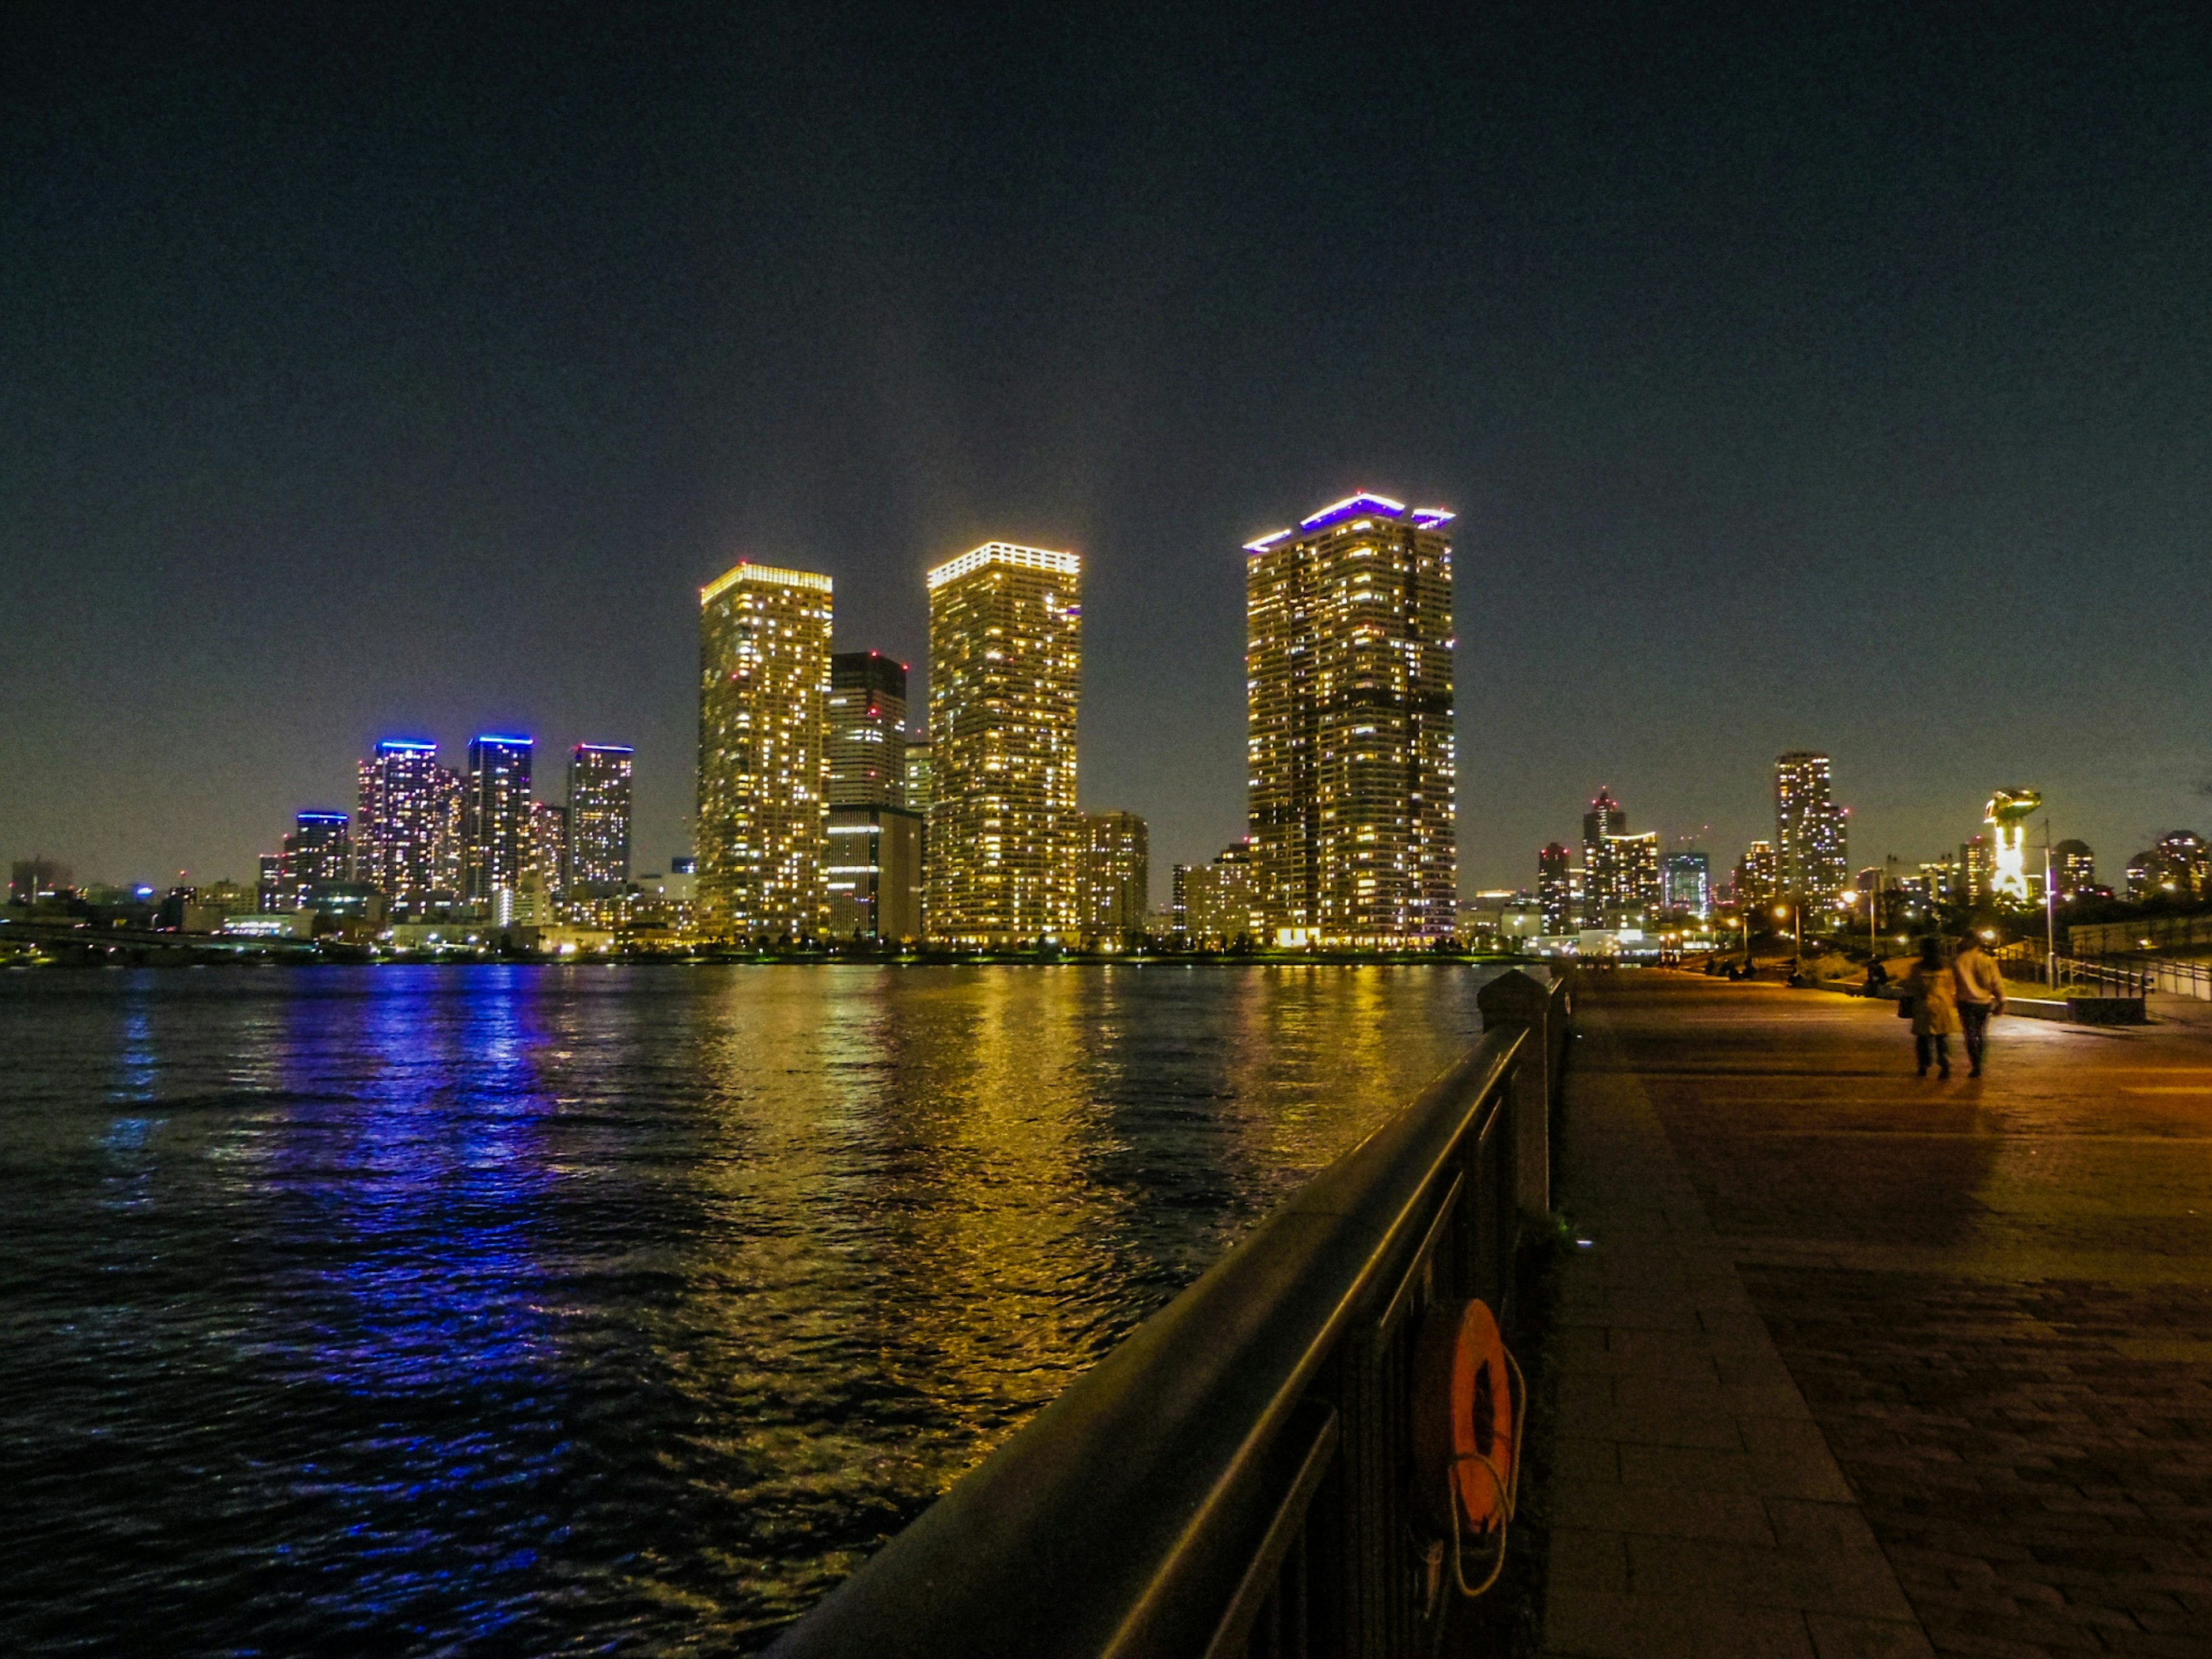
column 1235, row 1479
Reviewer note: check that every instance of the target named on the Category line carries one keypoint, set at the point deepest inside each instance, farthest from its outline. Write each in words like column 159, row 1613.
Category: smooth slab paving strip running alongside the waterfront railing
column 1695, row 1505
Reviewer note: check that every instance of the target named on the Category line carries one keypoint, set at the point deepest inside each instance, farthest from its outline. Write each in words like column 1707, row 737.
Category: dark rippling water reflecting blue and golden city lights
column 598, row 1311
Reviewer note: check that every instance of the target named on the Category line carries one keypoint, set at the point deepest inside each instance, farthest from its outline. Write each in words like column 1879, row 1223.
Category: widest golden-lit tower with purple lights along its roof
column 1350, row 749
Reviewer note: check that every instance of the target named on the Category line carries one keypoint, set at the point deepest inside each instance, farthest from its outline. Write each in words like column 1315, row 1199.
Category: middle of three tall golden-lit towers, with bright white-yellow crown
column 1005, row 676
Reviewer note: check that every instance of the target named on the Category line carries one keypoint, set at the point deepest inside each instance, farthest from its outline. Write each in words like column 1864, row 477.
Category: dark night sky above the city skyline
column 1799, row 382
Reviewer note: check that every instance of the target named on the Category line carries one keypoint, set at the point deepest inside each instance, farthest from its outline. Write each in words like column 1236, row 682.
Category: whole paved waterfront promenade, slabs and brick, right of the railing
column 1870, row 1366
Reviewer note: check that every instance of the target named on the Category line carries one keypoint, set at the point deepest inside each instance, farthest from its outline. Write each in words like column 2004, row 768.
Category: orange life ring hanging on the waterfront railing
column 1465, row 1434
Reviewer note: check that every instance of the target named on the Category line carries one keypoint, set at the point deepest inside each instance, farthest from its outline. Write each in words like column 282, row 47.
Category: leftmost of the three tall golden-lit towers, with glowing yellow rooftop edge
column 764, row 760
